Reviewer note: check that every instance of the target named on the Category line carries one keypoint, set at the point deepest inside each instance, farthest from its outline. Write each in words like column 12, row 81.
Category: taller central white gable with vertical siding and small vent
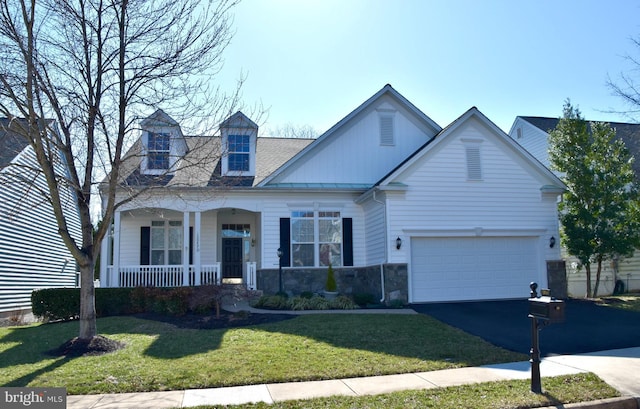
column 362, row 147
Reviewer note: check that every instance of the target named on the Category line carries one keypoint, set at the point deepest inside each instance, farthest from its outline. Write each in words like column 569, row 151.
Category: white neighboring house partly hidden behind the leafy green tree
column 532, row 133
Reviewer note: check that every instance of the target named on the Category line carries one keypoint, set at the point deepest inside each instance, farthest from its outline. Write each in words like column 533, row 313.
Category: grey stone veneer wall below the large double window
column 350, row 280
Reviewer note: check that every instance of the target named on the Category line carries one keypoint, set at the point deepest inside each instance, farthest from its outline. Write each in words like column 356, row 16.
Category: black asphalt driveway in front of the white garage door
column 588, row 327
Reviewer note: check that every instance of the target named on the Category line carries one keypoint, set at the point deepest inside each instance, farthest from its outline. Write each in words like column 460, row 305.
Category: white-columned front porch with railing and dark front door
column 160, row 247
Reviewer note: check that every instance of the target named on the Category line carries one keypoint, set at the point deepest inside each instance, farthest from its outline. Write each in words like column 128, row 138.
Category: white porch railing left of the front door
column 164, row 276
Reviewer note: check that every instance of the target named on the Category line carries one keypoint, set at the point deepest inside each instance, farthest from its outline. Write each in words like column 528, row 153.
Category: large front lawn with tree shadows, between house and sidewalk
column 159, row 356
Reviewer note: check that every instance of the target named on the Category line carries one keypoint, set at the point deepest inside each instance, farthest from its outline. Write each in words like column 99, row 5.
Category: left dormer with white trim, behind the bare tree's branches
column 162, row 144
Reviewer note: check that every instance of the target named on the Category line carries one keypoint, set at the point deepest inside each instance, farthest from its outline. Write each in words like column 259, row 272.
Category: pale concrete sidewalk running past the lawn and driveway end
column 619, row 368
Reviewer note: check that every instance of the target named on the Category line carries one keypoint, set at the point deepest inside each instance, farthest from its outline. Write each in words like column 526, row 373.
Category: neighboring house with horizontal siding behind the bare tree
column 32, row 254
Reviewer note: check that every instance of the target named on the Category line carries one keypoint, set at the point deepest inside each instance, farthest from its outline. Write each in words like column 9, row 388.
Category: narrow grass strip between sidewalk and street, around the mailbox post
column 505, row 395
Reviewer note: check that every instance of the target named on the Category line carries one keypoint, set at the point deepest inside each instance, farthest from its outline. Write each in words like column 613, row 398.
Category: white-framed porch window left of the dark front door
column 166, row 242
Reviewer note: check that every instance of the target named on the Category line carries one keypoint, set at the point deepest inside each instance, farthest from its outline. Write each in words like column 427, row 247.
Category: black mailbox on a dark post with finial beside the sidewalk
column 543, row 310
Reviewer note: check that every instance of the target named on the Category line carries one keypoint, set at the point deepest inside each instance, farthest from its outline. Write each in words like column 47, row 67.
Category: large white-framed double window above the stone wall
column 316, row 238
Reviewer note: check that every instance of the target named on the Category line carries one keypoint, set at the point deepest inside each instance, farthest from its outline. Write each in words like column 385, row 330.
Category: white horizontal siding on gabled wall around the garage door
column 440, row 198
